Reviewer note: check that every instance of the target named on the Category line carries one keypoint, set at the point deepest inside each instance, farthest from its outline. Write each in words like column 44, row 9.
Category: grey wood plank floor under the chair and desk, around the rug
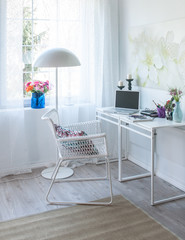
column 26, row 194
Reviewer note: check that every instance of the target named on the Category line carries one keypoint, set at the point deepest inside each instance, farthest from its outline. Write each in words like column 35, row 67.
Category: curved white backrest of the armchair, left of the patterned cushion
column 52, row 119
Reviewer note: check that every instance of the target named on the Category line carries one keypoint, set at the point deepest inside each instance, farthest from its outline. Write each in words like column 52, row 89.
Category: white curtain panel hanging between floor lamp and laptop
column 100, row 55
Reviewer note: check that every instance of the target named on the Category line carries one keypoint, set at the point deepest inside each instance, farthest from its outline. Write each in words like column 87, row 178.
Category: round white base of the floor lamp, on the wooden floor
column 63, row 172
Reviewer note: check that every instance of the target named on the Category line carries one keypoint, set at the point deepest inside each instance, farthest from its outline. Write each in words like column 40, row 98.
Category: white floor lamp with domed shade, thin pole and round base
column 57, row 57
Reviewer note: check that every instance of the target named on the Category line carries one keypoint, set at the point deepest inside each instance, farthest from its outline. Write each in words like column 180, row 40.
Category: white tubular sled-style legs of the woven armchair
column 108, row 177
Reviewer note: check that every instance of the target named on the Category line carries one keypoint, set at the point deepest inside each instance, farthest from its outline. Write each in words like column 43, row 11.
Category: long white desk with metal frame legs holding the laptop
column 147, row 129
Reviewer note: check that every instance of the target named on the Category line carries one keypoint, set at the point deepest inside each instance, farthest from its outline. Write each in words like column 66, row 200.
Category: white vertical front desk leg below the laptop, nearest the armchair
column 119, row 150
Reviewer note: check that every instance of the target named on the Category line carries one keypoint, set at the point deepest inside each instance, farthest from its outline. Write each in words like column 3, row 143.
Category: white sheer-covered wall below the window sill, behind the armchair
column 32, row 145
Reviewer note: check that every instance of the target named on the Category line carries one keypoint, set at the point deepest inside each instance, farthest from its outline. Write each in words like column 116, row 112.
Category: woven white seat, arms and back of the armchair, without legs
column 73, row 149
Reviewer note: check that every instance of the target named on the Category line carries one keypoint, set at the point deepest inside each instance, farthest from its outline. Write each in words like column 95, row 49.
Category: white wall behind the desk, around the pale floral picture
column 170, row 153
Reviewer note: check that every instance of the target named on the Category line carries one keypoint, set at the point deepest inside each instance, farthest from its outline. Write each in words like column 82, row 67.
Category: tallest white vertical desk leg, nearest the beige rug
column 153, row 134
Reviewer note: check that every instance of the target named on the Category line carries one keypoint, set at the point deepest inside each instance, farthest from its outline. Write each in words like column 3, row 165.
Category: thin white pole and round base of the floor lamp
column 64, row 172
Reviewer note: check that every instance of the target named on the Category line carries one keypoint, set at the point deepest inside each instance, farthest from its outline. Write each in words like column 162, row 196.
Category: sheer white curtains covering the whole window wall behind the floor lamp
column 89, row 28
